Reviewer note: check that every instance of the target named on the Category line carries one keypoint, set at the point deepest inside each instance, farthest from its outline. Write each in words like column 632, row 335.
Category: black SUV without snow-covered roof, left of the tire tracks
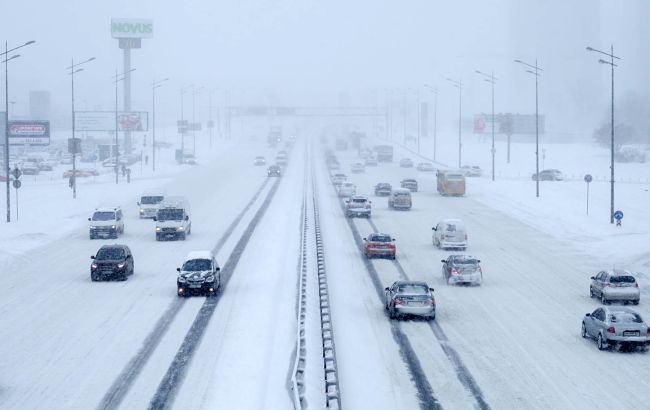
column 112, row 262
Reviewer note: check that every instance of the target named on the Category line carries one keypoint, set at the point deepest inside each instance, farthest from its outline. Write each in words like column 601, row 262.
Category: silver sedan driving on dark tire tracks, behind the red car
column 413, row 298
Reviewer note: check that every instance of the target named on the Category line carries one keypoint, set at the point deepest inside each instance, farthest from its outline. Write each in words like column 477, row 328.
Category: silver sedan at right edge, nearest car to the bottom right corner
column 616, row 325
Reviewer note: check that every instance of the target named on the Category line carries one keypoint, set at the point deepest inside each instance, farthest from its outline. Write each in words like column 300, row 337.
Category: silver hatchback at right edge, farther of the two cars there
column 615, row 285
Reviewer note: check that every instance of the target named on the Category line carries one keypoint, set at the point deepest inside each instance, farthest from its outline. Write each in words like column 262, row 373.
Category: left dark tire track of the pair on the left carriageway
column 122, row 384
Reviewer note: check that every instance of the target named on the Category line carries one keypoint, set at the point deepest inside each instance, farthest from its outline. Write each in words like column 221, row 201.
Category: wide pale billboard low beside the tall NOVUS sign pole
column 105, row 121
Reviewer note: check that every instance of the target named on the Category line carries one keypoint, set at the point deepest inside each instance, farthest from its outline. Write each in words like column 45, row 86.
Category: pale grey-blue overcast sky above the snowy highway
column 307, row 51
